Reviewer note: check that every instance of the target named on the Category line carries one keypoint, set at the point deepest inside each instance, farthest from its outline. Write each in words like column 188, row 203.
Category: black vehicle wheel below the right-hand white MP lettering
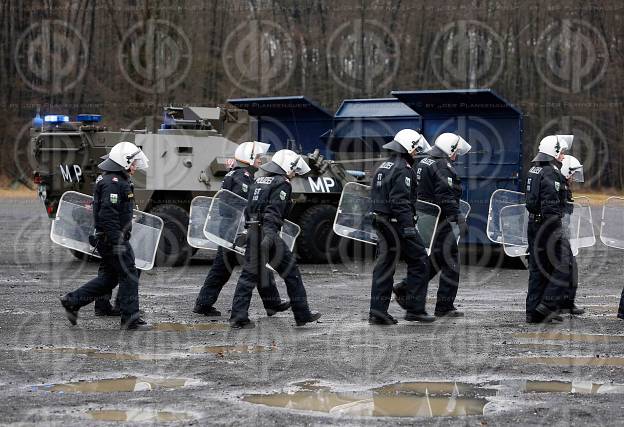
column 317, row 242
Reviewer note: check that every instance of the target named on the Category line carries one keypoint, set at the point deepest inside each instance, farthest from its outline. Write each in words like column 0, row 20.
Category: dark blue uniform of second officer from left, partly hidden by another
column 237, row 181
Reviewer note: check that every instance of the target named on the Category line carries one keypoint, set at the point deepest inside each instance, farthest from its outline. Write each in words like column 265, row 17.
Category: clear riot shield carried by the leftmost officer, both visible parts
column 73, row 225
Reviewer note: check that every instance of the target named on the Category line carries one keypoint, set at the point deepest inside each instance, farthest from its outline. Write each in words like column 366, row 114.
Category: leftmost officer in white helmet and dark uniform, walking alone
column 113, row 203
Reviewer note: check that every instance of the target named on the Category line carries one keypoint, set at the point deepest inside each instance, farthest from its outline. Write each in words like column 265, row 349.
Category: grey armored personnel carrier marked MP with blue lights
column 189, row 156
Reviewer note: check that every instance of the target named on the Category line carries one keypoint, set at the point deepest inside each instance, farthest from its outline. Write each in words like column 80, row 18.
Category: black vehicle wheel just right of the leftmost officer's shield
column 173, row 250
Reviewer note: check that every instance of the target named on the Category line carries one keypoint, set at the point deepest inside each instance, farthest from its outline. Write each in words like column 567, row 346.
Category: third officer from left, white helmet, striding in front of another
column 268, row 205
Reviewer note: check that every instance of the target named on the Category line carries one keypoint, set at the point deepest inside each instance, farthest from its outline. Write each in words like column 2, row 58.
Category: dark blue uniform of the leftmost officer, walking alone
column 113, row 202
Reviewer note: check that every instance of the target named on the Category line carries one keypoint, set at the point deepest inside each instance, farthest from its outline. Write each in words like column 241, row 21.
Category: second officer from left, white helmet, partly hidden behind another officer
column 238, row 181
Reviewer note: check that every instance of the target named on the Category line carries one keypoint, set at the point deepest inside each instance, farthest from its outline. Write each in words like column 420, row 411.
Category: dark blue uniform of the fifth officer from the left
column 438, row 183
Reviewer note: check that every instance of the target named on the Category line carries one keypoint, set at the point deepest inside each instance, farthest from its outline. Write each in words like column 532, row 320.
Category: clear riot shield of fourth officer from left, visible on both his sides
column 355, row 221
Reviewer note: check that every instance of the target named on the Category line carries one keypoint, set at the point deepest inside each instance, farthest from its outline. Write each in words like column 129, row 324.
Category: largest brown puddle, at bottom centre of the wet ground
column 397, row 400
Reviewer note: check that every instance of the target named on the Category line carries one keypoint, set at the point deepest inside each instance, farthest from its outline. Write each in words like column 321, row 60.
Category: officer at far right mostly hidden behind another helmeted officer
column 572, row 171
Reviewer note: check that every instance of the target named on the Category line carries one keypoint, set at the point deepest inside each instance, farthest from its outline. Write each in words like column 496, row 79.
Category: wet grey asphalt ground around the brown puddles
column 491, row 347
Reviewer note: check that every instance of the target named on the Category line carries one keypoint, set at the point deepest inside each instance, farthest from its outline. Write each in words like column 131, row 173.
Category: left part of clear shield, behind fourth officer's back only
column 353, row 219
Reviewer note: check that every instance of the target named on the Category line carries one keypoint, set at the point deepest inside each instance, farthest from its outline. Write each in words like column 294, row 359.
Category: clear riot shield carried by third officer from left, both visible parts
column 225, row 223
